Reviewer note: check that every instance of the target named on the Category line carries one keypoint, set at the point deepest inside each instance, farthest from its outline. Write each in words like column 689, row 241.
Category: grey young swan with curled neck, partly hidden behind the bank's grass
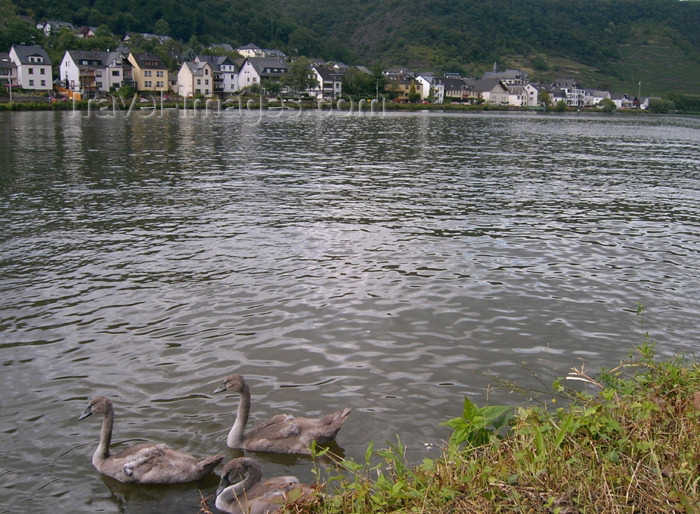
column 241, row 491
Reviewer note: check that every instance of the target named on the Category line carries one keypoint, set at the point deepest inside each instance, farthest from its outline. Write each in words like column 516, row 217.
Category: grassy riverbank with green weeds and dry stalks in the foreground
column 631, row 444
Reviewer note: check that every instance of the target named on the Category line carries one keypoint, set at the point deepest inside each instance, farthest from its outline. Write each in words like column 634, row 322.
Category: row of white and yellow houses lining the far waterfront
column 93, row 73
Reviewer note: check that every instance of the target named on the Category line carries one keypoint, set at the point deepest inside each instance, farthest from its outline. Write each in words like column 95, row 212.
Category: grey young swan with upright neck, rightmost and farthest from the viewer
column 282, row 433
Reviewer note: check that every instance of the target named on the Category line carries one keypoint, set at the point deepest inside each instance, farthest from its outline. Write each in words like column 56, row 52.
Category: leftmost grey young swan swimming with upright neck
column 145, row 463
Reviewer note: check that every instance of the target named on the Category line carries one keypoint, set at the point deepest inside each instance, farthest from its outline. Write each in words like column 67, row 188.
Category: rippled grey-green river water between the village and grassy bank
column 383, row 262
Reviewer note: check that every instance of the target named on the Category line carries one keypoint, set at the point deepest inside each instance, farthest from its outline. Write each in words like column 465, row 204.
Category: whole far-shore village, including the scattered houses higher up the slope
column 87, row 74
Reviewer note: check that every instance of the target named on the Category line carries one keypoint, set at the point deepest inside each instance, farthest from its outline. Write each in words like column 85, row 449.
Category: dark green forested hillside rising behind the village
column 601, row 40
